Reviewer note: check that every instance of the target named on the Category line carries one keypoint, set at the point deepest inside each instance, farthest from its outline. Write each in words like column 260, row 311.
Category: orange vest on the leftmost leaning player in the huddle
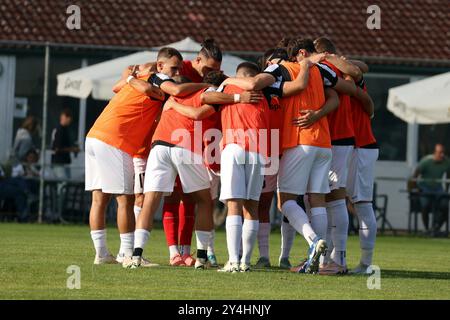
column 126, row 120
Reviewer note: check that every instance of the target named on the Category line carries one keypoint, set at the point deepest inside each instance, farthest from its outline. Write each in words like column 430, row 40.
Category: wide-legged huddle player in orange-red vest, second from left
column 176, row 151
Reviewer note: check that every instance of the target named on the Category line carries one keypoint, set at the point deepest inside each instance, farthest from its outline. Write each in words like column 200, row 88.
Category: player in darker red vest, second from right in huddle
column 342, row 140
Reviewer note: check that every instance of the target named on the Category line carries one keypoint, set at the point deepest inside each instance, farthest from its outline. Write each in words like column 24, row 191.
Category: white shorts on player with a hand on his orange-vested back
column 304, row 169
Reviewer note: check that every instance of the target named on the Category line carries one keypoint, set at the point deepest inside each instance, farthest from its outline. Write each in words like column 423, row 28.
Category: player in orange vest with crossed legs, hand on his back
column 306, row 151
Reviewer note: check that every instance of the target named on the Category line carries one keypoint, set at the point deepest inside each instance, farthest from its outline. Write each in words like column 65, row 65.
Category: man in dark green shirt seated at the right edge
column 429, row 171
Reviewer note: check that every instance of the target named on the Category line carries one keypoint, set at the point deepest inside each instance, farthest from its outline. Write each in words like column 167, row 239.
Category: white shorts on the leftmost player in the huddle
column 107, row 168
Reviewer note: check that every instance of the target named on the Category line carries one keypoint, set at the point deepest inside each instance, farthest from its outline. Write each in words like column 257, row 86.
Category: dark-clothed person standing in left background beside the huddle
column 63, row 145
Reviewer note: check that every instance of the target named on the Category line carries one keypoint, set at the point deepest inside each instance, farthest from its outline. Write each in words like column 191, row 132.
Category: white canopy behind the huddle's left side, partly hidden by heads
column 99, row 79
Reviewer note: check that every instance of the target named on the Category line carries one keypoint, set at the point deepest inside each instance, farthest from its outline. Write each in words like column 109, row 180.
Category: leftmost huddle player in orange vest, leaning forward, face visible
column 115, row 137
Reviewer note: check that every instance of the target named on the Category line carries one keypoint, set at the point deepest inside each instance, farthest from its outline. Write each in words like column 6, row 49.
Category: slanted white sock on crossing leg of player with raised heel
column 298, row 219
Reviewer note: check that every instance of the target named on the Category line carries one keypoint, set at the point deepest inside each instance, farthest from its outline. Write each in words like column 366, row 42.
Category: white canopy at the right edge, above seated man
column 423, row 102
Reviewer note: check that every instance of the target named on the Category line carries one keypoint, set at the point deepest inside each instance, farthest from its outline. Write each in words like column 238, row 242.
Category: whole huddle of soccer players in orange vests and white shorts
column 184, row 134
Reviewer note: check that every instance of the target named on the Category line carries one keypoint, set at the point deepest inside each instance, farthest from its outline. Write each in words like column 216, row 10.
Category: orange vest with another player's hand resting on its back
column 311, row 98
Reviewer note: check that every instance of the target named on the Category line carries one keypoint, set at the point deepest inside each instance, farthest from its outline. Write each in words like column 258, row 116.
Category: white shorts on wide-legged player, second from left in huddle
column 165, row 163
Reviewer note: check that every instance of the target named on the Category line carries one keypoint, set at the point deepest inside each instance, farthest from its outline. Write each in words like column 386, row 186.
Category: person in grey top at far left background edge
column 23, row 142
